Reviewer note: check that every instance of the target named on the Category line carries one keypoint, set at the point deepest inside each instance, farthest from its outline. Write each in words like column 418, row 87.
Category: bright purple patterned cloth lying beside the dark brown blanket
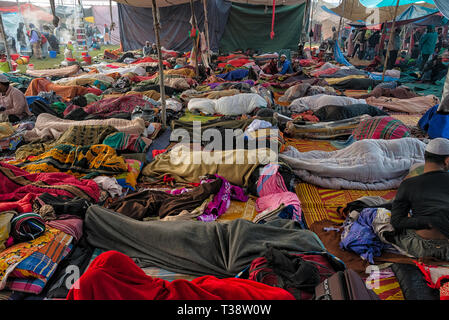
column 222, row 200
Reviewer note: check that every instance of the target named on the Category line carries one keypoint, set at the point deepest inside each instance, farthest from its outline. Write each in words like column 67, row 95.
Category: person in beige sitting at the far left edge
column 12, row 101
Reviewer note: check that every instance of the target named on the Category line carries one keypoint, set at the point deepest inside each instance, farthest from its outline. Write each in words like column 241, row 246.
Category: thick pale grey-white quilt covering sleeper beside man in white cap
column 364, row 165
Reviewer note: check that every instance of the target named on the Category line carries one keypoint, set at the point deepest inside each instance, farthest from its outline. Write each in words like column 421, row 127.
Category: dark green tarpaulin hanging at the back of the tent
column 249, row 26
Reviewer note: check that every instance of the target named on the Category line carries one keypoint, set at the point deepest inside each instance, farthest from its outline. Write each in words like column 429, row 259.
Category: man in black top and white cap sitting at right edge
column 420, row 212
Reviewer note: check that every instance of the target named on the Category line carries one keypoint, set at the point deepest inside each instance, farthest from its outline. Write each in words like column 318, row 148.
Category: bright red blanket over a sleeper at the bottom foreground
column 114, row 276
